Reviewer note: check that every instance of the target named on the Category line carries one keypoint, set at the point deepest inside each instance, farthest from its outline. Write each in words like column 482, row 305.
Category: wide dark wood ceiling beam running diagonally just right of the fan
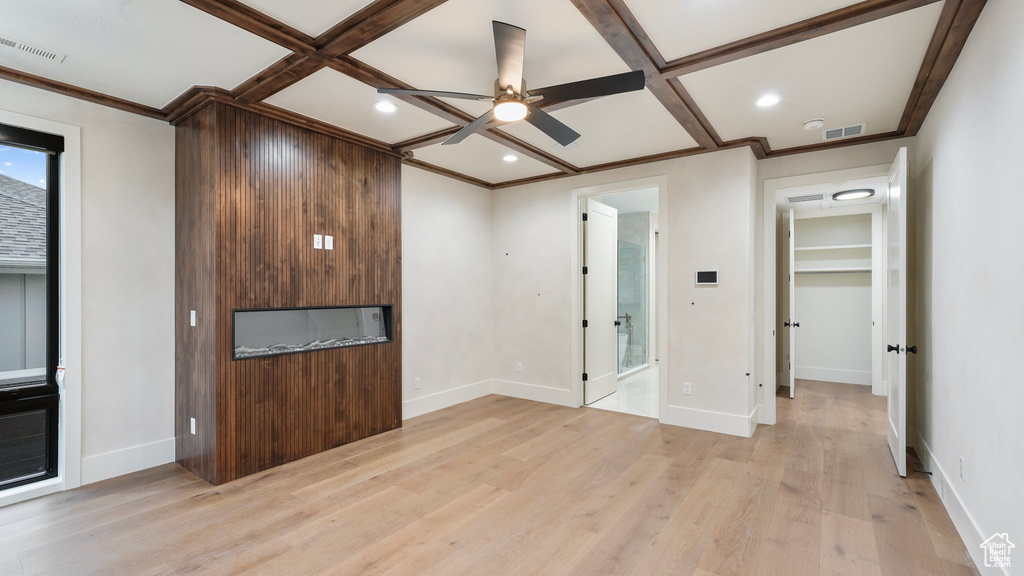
column 619, row 28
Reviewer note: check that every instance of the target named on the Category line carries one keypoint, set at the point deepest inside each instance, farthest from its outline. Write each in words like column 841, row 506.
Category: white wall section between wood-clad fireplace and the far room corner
column 448, row 312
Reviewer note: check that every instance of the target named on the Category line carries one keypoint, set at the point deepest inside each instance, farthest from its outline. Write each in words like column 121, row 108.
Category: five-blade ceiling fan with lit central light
column 514, row 103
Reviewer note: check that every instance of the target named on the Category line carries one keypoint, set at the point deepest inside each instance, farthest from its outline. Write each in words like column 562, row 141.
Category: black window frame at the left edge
column 46, row 394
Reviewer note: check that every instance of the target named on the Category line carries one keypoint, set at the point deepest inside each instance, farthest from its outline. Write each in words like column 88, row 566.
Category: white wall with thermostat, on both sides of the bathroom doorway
column 707, row 227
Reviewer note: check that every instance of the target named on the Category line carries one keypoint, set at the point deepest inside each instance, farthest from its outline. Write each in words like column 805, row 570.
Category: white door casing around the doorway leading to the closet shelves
column 766, row 402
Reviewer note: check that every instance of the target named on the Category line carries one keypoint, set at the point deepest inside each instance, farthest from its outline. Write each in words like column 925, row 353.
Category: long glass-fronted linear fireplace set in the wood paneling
column 272, row 333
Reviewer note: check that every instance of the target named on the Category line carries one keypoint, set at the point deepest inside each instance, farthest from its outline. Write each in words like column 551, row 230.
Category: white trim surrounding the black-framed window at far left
column 70, row 441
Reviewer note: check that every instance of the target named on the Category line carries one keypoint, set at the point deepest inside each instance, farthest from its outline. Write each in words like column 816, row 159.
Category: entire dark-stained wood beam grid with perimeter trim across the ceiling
column 611, row 18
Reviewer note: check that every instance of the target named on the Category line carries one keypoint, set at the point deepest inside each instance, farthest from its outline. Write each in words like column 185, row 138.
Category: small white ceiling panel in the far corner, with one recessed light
column 482, row 158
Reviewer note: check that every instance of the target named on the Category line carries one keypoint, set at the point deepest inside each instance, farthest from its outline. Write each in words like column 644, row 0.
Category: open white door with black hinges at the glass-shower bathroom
column 601, row 259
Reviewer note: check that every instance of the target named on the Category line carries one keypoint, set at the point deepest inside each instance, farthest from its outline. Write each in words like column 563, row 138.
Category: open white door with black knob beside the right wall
column 897, row 301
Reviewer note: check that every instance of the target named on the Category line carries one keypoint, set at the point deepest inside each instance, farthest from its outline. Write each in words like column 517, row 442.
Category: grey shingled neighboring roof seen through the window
column 23, row 221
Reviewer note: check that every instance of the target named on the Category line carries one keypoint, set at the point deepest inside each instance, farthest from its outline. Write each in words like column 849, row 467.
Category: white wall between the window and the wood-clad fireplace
column 127, row 280
